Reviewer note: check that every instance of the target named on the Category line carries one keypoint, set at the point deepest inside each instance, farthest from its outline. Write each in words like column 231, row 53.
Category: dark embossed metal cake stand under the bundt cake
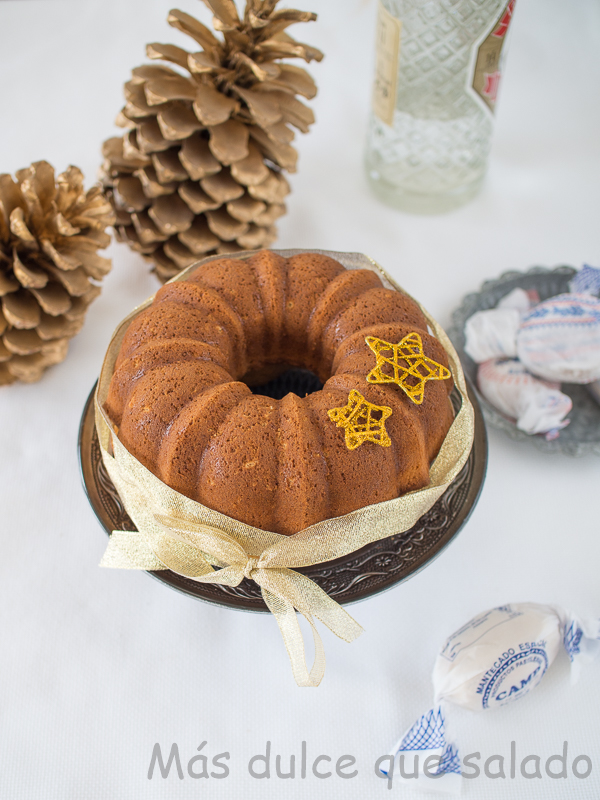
column 367, row 571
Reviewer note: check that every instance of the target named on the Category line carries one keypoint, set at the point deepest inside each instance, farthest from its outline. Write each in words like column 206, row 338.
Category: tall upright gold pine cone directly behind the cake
column 199, row 170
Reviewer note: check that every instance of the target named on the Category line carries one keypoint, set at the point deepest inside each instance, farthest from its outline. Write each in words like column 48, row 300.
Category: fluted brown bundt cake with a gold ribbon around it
column 180, row 402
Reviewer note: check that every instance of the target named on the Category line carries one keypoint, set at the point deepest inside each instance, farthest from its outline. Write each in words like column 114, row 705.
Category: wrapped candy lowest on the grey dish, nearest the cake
column 537, row 406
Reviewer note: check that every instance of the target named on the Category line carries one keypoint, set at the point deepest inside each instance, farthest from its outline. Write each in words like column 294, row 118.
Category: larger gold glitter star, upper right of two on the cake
column 410, row 366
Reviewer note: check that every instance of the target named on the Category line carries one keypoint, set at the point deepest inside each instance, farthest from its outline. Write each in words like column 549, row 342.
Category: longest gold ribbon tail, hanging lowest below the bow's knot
column 285, row 614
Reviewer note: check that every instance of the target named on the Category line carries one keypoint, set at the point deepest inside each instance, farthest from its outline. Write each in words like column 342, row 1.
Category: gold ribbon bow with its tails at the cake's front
column 192, row 549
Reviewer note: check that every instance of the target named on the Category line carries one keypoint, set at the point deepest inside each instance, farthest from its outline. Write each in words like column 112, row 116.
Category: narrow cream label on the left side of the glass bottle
column 387, row 49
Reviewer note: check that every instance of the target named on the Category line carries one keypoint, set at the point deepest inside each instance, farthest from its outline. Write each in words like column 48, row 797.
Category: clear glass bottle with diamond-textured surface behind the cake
column 437, row 75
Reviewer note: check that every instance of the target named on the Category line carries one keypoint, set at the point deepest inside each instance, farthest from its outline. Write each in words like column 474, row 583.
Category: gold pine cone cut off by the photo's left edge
column 49, row 234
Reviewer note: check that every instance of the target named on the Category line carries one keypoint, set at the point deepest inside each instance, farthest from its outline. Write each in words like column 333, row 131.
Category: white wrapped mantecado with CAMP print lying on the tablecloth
column 496, row 658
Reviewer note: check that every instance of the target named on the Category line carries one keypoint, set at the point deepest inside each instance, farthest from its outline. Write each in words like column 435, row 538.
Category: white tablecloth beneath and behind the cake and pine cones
column 96, row 666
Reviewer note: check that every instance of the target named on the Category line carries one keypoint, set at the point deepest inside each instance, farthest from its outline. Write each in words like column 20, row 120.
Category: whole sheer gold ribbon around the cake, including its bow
column 176, row 533
